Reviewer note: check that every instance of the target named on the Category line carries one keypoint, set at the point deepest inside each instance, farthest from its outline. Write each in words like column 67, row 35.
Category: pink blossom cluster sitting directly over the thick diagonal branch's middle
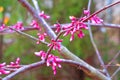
column 56, row 44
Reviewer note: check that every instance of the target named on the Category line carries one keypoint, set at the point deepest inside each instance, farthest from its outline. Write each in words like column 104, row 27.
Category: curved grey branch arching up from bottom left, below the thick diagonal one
column 40, row 63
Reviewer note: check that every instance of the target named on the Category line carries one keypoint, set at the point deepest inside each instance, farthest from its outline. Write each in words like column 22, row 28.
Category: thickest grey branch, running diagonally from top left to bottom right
column 92, row 71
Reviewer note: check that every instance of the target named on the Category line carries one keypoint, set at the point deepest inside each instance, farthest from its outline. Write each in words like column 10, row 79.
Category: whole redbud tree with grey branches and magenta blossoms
column 74, row 29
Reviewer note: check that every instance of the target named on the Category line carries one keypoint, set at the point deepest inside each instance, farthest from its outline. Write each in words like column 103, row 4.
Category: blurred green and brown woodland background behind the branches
column 15, row 45
